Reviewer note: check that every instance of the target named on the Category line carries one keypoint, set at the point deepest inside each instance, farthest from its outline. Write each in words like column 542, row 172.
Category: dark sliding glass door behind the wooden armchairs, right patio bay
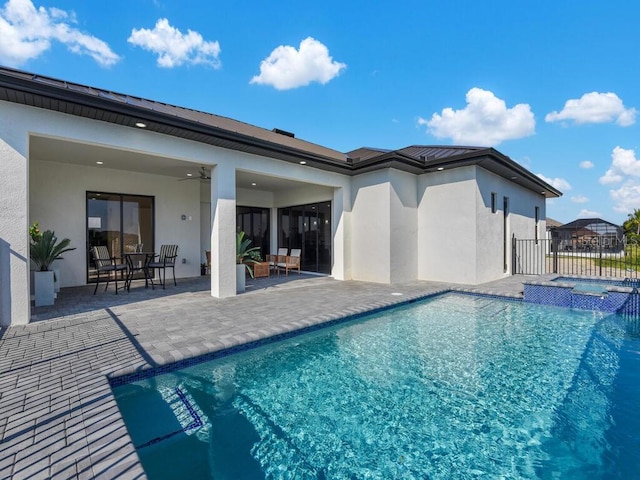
column 307, row 227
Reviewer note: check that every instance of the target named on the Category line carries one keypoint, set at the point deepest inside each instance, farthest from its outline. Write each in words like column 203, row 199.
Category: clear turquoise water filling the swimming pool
column 453, row 387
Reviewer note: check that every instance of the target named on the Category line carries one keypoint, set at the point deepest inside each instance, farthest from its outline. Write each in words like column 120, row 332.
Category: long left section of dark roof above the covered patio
column 97, row 104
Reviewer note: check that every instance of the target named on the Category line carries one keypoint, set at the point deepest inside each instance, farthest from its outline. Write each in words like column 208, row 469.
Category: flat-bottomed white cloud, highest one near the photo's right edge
column 595, row 107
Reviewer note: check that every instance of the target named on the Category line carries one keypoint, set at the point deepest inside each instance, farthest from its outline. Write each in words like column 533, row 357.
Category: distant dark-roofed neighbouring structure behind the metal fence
column 589, row 234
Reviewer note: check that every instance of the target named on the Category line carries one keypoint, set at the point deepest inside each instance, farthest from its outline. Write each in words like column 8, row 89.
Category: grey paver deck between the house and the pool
column 58, row 417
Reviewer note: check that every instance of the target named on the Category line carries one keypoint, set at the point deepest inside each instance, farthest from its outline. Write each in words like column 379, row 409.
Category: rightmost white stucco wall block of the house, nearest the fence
column 464, row 238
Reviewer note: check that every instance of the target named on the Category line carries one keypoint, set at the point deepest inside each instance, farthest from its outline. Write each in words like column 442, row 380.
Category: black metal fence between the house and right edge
column 537, row 257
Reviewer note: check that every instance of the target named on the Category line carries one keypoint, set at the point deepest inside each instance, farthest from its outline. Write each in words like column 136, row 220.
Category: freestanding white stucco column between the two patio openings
column 223, row 231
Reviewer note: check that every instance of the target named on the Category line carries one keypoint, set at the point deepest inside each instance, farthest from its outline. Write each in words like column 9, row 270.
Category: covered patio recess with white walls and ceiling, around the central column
column 89, row 193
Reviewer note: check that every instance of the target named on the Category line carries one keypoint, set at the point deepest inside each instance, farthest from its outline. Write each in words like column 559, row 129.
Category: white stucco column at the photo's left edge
column 15, row 303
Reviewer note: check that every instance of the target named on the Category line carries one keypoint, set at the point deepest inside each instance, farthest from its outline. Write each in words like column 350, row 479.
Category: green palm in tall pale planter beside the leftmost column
column 44, row 250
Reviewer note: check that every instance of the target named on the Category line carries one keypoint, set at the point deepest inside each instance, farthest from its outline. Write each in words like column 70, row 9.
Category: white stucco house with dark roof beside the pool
column 105, row 168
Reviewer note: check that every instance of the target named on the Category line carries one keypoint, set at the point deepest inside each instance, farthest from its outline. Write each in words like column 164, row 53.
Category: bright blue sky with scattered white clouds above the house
column 551, row 84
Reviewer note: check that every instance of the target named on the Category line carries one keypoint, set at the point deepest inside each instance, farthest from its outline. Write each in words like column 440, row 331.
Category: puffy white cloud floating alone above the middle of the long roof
column 286, row 68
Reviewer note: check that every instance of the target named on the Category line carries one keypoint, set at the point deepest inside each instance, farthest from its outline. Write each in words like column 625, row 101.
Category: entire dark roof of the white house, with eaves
column 74, row 99
